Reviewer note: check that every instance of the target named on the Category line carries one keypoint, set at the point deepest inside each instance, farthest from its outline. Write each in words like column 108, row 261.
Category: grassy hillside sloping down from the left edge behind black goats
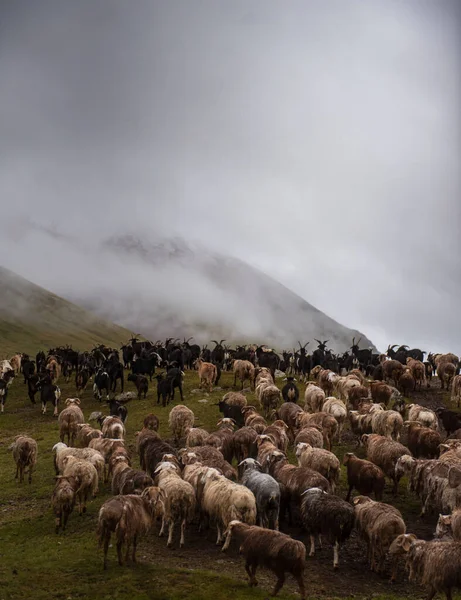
column 32, row 318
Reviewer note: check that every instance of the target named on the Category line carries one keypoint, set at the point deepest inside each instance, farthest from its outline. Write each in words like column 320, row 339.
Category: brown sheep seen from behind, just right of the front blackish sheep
column 378, row 524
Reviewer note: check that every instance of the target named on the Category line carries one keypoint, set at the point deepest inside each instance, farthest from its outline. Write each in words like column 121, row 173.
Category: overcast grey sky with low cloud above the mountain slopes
column 317, row 139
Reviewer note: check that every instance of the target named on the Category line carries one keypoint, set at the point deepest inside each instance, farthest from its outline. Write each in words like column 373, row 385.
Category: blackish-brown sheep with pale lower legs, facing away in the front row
column 325, row 514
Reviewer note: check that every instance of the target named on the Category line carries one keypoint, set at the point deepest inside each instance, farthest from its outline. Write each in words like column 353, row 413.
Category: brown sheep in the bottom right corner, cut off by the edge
column 436, row 565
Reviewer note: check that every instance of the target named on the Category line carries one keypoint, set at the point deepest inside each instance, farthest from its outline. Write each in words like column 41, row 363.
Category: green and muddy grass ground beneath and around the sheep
column 38, row 563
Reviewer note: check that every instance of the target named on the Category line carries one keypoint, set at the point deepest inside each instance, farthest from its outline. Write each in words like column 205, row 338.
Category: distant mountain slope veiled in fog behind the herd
column 183, row 289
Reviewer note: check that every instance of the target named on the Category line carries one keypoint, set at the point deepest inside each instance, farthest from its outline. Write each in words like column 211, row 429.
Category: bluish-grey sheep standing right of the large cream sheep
column 266, row 491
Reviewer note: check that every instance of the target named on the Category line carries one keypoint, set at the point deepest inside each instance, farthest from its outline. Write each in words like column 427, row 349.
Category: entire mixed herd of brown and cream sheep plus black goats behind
column 239, row 477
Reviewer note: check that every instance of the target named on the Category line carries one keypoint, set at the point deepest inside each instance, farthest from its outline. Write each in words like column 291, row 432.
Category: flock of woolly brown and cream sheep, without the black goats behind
column 239, row 477
